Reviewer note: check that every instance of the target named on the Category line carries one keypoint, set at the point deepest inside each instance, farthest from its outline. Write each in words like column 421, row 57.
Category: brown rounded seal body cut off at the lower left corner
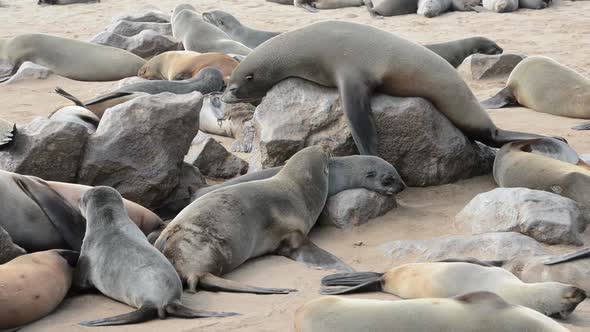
column 34, row 285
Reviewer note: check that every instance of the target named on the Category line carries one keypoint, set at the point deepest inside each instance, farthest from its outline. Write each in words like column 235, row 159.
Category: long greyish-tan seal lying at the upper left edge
column 78, row 60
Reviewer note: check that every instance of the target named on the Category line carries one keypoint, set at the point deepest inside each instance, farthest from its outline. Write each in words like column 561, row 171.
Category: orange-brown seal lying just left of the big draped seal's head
column 181, row 65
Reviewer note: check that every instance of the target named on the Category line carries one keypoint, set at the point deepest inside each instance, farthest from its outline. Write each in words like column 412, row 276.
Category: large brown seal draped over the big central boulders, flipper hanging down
column 364, row 59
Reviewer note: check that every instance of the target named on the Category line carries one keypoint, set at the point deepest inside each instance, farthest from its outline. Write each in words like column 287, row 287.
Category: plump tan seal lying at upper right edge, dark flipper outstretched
column 544, row 85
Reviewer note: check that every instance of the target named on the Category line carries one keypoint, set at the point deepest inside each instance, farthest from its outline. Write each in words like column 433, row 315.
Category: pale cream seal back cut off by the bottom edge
column 481, row 311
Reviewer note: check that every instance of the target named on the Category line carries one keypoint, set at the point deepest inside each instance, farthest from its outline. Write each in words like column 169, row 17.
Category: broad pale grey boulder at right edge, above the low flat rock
column 544, row 216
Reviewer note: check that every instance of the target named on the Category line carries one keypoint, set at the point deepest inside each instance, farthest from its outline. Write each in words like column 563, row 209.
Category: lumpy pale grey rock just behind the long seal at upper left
column 146, row 44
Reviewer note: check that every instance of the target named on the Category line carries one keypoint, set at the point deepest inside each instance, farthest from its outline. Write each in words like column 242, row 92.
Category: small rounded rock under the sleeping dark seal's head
column 355, row 207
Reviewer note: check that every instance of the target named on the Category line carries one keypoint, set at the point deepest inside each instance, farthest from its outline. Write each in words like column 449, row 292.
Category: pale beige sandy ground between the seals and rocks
column 560, row 32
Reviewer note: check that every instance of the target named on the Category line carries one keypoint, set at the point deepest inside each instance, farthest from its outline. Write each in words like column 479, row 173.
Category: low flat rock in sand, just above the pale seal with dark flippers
column 488, row 246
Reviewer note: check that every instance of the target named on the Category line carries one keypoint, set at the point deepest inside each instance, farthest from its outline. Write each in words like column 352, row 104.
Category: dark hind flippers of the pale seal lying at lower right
column 357, row 282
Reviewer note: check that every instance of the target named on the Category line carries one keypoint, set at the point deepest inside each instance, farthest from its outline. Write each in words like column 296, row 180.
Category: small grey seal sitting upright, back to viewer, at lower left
column 142, row 277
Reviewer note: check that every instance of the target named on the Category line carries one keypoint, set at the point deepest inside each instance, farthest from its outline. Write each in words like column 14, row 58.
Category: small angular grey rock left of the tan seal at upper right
column 489, row 66
